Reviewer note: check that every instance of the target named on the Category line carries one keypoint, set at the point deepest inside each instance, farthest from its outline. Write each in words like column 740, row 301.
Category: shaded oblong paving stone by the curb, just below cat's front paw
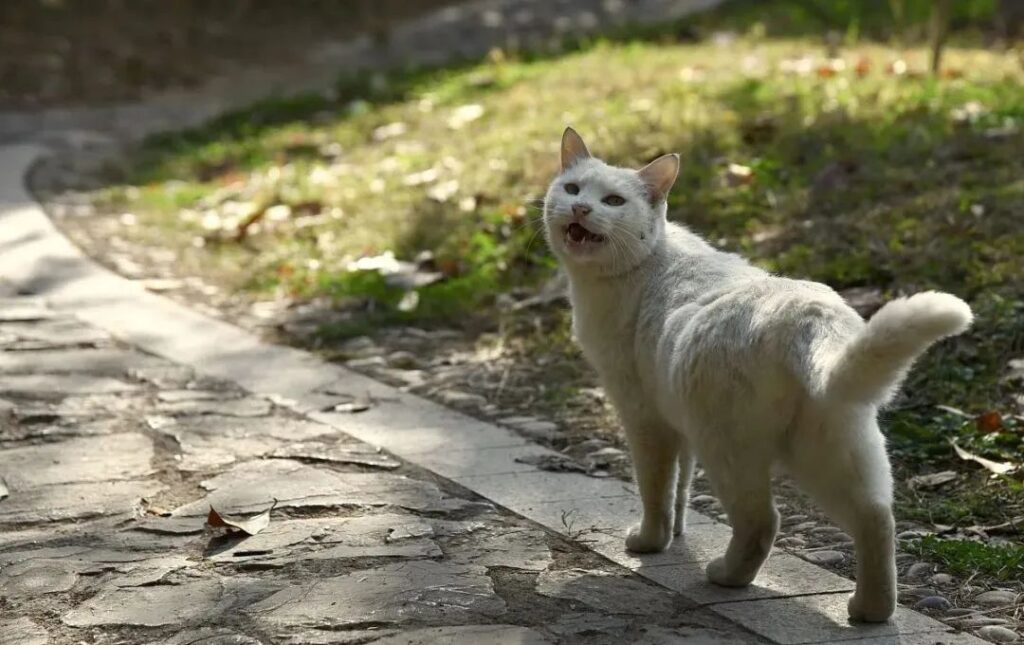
column 605, row 591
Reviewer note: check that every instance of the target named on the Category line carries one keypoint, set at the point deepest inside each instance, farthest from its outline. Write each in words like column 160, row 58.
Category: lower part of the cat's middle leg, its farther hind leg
column 746, row 495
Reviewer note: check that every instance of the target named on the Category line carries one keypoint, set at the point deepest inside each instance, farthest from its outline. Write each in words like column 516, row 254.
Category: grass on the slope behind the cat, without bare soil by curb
column 861, row 178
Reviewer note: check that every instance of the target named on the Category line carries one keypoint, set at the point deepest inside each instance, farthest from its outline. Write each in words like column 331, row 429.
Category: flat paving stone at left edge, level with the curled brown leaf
column 76, row 501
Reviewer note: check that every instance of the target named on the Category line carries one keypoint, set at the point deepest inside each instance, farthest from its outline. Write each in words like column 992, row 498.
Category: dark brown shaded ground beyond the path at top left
column 100, row 52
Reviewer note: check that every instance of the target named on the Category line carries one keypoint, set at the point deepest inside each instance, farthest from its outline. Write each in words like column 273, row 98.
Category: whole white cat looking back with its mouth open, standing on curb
column 707, row 358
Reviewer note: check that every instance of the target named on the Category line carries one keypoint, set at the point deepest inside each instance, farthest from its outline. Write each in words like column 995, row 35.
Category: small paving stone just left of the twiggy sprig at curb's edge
column 515, row 547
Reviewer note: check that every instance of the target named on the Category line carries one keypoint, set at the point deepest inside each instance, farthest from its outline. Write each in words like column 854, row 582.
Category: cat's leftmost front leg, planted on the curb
column 655, row 449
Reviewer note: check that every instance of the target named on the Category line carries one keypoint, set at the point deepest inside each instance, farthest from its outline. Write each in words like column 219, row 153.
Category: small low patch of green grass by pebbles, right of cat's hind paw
column 965, row 558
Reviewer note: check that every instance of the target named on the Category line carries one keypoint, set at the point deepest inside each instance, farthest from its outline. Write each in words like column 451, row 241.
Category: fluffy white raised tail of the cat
column 871, row 369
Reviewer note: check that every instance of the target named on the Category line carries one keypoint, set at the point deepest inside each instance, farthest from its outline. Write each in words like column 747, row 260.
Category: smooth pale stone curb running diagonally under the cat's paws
column 791, row 603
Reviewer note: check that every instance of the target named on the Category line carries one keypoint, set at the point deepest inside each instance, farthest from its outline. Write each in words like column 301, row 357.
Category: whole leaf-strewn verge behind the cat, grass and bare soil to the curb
column 849, row 166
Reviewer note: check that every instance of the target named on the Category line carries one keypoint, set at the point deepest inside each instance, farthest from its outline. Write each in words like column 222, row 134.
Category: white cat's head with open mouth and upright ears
column 603, row 220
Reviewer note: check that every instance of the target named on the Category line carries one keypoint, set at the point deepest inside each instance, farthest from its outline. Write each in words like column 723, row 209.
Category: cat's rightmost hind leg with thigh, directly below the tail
column 842, row 463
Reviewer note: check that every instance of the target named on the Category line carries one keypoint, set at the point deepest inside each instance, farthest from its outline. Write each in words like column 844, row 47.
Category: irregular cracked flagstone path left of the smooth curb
column 111, row 459
